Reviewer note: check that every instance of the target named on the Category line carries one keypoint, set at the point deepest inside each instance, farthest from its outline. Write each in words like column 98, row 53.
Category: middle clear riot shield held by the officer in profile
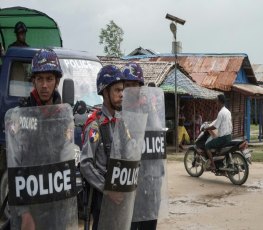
column 123, row 166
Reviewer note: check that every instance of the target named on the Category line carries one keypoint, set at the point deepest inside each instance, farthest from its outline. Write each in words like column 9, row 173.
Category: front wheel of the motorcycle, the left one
column 193, row 163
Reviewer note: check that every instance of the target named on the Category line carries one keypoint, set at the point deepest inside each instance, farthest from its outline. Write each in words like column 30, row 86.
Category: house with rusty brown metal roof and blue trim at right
column 228, row 73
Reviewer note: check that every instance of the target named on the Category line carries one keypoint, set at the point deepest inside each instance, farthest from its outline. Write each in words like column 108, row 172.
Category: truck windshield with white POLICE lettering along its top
column 84, row 74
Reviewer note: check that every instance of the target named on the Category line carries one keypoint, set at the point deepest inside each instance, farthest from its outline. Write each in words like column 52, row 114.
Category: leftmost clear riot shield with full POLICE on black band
column 41, row 167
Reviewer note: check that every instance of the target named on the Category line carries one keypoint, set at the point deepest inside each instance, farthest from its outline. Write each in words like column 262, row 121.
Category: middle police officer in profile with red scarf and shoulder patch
column 97, row 137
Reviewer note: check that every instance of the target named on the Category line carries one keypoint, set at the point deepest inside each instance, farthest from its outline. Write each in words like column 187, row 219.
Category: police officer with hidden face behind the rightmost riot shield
column 133, row 75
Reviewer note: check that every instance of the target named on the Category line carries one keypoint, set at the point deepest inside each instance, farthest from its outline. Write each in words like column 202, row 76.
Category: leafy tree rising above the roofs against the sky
column 111, row 38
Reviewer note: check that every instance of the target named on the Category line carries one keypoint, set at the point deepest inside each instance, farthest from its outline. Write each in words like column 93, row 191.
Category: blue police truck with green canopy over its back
column 15, row 70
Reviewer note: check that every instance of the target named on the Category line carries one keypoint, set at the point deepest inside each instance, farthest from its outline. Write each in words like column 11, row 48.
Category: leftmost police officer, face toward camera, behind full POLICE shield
column 46, row 74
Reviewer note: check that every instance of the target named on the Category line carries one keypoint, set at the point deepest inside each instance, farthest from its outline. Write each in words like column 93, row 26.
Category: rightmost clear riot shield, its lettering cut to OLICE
column 151, row 200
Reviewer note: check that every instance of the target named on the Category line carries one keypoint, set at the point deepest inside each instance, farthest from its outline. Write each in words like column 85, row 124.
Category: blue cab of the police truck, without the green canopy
column 15, row 84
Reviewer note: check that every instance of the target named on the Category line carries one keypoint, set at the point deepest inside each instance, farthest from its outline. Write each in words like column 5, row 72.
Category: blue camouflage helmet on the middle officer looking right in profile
column 107, row 76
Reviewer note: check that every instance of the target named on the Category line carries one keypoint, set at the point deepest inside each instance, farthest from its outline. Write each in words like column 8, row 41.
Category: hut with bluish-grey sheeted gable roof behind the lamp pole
column 194, row 99
